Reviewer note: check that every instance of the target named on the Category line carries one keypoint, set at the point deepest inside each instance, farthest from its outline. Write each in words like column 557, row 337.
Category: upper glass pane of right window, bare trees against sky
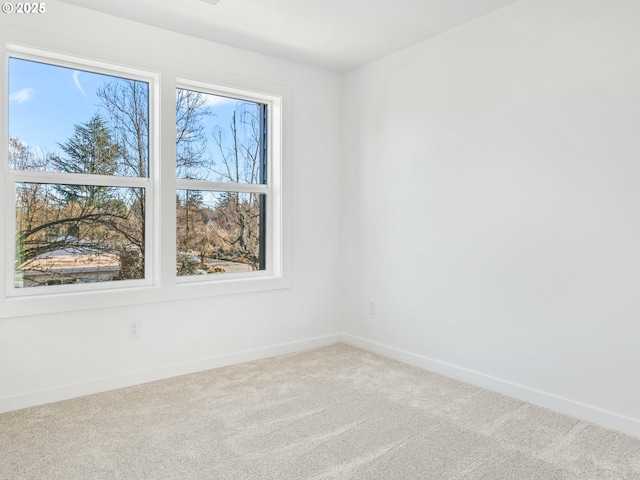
column 219, row 139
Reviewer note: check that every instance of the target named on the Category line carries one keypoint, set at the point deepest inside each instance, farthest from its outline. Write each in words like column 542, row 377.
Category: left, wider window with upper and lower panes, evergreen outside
column 78, row 160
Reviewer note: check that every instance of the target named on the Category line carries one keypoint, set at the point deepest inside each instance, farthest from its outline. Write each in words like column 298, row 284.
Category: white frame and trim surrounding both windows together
column 161, row 282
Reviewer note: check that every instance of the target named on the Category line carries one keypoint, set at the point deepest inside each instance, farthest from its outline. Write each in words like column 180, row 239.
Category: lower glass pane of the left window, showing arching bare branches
column 78, row 234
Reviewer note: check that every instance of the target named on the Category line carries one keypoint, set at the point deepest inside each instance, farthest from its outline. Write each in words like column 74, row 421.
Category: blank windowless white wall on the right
column 492, row 195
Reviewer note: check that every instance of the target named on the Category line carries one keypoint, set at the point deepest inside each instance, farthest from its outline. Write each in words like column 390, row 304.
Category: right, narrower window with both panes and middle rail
column 222, row 170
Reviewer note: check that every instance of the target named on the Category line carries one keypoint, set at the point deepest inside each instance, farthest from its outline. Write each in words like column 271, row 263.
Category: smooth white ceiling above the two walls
column 337, row 35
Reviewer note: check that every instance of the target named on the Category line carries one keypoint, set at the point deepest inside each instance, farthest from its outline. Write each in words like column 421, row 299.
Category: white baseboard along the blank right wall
column 592, row 414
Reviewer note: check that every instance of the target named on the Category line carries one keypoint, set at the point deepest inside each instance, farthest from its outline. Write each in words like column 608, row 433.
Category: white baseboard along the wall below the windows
column 66, row 392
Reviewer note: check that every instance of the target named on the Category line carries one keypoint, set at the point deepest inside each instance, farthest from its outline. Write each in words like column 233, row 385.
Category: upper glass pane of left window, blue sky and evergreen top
column 74, row 121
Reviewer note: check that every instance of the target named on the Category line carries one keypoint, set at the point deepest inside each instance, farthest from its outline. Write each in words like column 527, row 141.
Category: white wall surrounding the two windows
column 49, row 357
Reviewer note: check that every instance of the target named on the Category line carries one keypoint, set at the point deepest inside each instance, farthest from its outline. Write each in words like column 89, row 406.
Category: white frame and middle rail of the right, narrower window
column 270, row 190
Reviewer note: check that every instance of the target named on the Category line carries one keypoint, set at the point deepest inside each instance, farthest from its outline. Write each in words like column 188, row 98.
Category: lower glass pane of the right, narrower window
column 219, row 232
